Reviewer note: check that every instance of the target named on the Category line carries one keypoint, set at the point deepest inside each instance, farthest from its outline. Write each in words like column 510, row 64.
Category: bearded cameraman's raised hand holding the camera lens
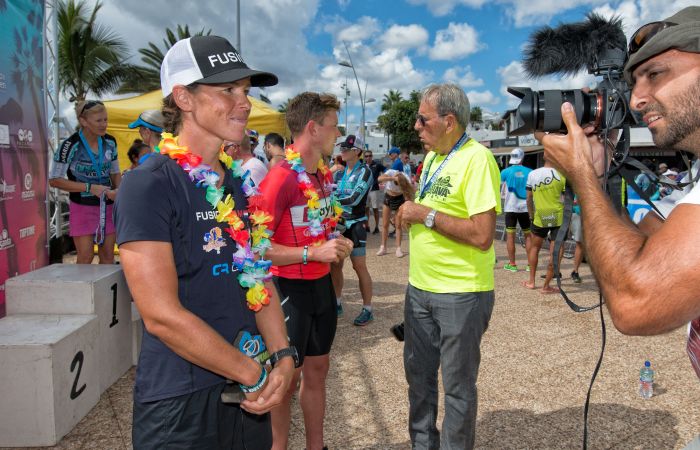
column 579, row 154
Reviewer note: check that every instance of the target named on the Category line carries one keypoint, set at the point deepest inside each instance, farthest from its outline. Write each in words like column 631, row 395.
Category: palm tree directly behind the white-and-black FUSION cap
column 146, row 78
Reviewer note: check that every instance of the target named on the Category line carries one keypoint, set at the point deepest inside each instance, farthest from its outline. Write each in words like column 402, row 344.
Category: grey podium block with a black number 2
column 48, row 376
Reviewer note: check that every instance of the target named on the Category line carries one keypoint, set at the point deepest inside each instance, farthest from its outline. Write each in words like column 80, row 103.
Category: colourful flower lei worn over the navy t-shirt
column 254, row 271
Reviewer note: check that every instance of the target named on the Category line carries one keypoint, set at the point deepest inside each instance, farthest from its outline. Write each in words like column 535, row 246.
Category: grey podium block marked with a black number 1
column 82, row 289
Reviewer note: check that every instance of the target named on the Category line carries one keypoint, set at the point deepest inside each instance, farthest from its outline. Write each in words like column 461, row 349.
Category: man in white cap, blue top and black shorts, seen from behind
column 514, row 186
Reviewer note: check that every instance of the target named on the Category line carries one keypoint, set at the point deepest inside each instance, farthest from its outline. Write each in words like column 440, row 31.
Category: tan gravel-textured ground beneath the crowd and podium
column 537, row 360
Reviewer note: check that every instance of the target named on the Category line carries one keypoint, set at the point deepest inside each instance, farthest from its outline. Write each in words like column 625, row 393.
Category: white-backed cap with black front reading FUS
column 207, row 60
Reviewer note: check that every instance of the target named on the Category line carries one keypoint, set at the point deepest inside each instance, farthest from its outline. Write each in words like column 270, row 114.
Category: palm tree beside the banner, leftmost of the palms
column 90, row 56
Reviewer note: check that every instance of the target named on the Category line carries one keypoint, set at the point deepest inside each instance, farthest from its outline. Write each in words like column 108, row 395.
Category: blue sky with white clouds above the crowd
column 399, row 44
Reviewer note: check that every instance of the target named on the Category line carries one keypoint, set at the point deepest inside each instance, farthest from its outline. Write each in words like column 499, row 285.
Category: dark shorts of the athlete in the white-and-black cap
column 199, row 420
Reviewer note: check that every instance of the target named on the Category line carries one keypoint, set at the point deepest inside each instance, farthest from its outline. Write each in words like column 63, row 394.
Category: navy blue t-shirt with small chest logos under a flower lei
column 158, row 202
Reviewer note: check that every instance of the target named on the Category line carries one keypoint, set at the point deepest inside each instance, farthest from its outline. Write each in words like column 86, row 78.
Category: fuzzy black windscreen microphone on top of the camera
column 569, row 48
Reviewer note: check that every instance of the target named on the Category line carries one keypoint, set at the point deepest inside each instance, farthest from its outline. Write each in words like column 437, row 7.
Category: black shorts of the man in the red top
column 310, row 307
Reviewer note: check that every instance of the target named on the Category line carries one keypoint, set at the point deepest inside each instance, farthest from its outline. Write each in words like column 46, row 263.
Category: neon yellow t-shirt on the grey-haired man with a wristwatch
column 468, row 184
